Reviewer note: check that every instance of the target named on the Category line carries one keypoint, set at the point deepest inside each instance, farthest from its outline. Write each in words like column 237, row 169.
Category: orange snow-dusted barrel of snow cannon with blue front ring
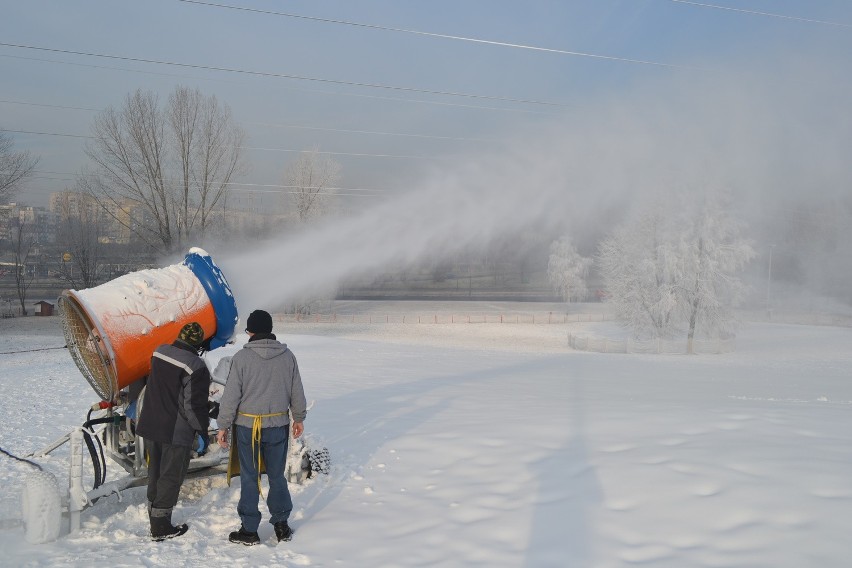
column 113, row 329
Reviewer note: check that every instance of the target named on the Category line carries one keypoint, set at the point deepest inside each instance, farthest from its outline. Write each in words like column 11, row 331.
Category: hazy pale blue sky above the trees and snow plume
column 400, row 123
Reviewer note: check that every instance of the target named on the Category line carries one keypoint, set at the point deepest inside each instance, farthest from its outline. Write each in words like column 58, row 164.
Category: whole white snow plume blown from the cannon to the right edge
column 759, row 137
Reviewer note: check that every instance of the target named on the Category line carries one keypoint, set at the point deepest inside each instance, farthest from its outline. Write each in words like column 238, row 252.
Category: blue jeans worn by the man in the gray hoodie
column 273, row 447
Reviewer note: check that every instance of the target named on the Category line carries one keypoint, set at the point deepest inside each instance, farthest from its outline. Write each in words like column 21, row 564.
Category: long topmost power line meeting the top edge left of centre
column 436, row 35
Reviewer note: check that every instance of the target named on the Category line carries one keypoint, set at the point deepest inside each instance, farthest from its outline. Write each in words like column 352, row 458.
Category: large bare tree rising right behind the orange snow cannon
column 175, row 162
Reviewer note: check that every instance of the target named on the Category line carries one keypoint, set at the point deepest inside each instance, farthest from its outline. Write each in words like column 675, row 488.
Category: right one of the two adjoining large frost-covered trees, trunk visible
column 712, row 253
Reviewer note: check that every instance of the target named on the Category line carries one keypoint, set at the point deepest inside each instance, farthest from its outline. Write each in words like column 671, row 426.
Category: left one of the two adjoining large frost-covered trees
column 639, row 265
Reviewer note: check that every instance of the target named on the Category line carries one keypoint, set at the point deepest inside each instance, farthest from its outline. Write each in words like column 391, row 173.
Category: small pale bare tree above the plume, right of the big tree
column 310, row 179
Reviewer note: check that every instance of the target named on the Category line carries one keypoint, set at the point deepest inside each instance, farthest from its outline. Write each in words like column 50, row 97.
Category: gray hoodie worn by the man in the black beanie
column 264, row 379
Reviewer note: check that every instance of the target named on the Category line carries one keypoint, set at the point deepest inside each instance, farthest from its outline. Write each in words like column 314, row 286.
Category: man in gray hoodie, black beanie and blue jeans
column 263, row 390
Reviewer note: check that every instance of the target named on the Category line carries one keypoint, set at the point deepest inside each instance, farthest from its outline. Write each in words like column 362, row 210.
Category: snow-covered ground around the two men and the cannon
column 492, row 445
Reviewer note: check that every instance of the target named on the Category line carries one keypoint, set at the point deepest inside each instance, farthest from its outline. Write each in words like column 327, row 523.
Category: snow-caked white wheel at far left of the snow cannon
column 41, row 506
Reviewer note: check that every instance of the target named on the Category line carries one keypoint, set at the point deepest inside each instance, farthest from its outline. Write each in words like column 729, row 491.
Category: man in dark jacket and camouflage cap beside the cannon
column 174, row 413
